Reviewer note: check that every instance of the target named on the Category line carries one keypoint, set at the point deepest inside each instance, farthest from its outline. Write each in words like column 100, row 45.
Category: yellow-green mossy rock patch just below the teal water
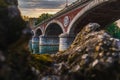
column 41, row 61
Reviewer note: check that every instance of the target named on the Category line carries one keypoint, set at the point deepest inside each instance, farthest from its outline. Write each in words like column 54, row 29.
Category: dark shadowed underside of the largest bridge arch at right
column 103, row 14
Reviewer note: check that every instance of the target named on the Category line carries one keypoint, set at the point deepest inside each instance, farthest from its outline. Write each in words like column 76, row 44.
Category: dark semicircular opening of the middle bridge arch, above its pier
column 53, row 29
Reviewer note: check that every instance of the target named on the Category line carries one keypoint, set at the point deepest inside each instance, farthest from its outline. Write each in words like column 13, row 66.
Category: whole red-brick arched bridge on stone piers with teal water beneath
column 58, row 32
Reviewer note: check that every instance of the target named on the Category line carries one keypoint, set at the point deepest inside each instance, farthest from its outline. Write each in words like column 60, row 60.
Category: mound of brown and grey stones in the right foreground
column 94, row 55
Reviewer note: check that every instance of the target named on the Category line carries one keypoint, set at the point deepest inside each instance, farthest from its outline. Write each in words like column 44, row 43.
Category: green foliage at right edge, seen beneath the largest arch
column 113, row 30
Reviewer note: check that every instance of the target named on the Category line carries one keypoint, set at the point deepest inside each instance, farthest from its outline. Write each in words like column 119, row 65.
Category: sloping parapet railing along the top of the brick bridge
column 65, row 10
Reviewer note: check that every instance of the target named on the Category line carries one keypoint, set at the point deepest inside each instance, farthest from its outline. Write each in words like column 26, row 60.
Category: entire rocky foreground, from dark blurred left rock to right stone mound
column 94, row 54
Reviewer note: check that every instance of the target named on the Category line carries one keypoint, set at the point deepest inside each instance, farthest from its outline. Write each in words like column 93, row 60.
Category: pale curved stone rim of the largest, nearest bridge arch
column 85, row 10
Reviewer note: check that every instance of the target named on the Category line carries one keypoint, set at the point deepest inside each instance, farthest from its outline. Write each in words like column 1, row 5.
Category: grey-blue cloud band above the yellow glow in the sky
column 44, row 4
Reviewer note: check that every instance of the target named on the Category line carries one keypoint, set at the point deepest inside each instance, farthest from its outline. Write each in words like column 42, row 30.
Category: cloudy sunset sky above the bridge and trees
column 34, row 8
